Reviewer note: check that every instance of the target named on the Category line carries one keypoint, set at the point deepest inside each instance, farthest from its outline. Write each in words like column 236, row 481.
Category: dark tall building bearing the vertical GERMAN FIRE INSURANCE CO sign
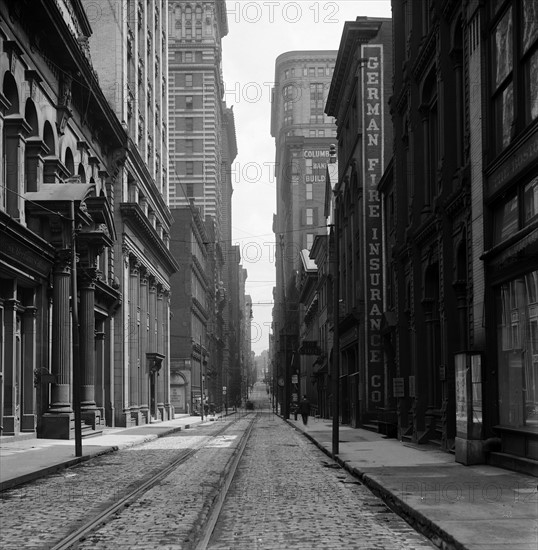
column 358, row 99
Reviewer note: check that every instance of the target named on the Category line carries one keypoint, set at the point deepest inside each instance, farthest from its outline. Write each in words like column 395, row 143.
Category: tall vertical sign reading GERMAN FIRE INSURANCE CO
column 372, row 150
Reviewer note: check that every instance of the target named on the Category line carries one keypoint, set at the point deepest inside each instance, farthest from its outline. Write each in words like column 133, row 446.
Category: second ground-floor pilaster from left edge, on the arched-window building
column 28, row 420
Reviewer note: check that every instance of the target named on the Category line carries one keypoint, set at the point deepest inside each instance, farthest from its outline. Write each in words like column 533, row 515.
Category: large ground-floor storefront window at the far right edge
column 517, row 343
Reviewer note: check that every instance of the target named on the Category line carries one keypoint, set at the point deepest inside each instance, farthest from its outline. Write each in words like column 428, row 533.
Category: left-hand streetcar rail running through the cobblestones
column 101, row 518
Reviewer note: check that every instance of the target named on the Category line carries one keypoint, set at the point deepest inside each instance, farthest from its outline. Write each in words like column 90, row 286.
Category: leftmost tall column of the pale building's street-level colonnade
column 134, row 339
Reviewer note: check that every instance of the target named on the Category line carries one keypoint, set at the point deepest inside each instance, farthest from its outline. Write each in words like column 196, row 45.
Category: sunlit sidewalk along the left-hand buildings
column 26, row 459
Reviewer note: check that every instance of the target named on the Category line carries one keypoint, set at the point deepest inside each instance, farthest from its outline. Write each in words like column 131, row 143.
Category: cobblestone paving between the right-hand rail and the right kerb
column 288, row 495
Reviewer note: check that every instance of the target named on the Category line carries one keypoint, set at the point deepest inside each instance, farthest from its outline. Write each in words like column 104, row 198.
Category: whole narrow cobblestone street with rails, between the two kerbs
column 285, row 494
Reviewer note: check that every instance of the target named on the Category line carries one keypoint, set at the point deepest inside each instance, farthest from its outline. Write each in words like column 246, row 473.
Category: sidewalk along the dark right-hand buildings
column 465, row 507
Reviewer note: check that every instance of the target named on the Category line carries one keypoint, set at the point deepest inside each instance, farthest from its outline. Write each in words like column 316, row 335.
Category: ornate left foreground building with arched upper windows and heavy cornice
column 60, row 143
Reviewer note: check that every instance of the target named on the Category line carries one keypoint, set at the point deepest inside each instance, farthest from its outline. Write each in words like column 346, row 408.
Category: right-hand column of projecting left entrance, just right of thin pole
column 86, row 362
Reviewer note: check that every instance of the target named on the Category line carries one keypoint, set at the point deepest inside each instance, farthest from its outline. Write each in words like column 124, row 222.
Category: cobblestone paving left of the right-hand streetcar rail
column 38, row 514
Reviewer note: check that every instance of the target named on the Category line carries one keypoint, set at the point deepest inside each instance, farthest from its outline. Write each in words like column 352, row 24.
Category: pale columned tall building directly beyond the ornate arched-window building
column 129, row 49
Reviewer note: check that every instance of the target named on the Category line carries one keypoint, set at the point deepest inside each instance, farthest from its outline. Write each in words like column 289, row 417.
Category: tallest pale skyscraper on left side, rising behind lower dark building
column 202, row 149
